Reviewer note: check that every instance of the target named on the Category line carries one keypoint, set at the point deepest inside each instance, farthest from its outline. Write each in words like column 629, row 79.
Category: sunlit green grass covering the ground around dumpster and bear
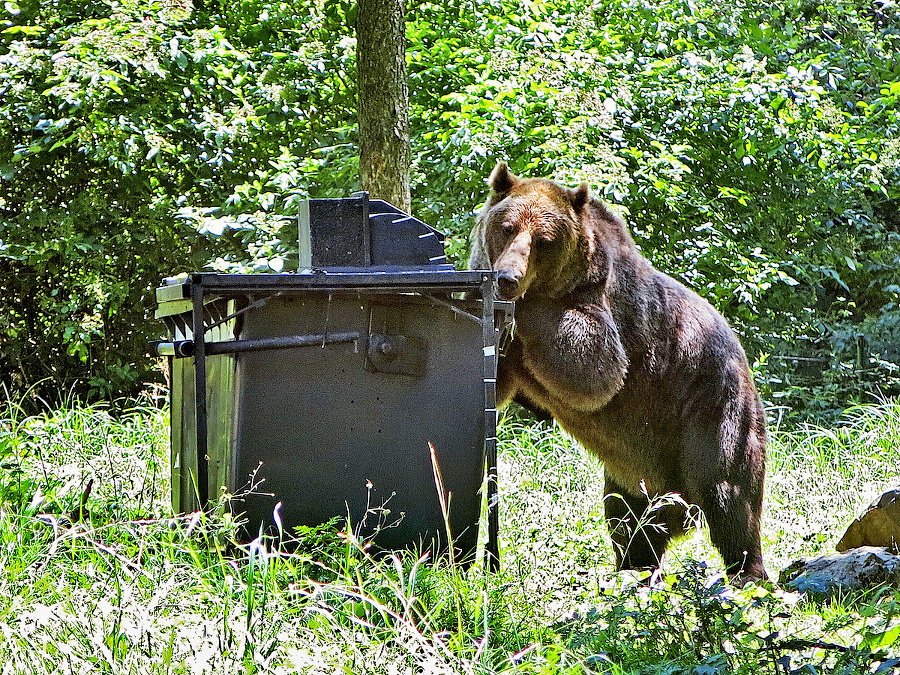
column 123, row 586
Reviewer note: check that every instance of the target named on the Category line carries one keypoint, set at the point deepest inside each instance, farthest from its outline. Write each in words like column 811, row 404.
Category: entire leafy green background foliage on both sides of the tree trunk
column 754, row 148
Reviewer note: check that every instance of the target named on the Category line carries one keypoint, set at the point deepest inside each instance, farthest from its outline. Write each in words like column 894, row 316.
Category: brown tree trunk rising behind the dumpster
column 384, row 152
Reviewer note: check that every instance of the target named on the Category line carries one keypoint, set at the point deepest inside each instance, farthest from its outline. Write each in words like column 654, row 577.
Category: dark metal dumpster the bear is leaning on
column 323, row 389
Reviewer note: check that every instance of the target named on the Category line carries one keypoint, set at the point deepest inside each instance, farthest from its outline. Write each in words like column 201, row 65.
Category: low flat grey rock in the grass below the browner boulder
column 857, row 569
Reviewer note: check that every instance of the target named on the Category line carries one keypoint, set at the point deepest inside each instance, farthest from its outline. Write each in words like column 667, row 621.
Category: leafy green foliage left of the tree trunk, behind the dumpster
column 116, row 121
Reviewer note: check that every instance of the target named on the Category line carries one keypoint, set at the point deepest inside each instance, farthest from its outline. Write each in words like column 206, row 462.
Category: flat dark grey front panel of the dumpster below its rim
column 323, row 426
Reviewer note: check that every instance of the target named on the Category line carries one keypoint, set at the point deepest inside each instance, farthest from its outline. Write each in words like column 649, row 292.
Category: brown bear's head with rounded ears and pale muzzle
column 534, row 234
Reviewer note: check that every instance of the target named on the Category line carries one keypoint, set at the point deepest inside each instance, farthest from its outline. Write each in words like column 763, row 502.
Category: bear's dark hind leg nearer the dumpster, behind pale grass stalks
column 640, row 531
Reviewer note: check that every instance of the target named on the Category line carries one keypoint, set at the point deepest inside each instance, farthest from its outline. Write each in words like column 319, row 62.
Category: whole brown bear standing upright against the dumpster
column 638, row 368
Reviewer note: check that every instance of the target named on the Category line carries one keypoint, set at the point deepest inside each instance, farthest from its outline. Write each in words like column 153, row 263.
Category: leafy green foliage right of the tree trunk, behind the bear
column 754, row 149
